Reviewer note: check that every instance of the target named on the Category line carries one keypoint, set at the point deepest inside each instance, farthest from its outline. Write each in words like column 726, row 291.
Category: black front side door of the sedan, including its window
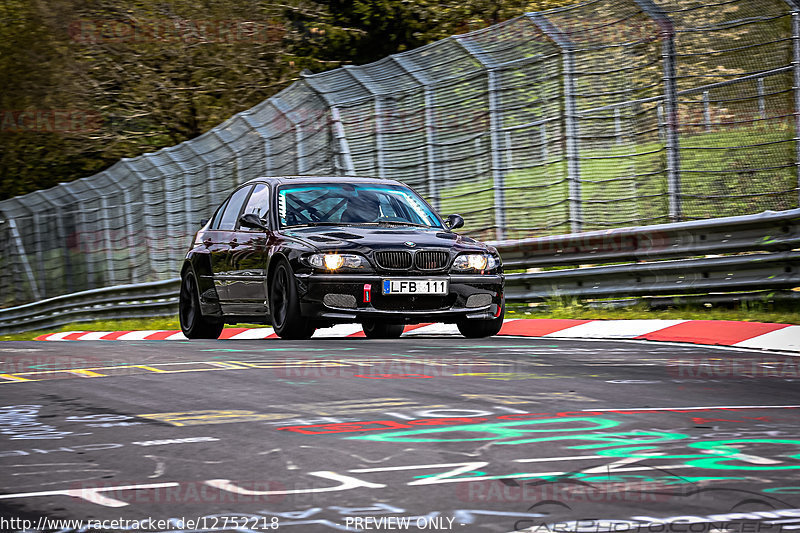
column 248, row 258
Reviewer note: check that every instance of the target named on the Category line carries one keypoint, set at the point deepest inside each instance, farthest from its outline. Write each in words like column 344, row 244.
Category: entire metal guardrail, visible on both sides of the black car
column 665, row 259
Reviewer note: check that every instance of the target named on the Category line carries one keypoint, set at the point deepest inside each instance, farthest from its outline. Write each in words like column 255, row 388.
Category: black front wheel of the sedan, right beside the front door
column 284, row 305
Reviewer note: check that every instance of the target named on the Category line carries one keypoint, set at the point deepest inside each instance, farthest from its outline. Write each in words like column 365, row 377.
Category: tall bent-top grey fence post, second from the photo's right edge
column 667, row 30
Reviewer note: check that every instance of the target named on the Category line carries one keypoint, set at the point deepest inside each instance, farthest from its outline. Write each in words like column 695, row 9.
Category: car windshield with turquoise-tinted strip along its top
column 350, row 203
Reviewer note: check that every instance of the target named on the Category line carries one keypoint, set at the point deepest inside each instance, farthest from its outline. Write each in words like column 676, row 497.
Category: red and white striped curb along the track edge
column 757, row 335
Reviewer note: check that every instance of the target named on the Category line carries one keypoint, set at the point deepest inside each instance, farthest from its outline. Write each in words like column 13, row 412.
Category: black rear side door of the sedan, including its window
column 222, row 239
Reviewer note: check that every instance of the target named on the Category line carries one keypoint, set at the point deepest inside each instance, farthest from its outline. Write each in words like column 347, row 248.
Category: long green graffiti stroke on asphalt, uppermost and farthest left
column 501, row 430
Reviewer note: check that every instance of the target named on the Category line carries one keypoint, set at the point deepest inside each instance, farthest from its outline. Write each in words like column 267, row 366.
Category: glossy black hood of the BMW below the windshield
column 381, row 237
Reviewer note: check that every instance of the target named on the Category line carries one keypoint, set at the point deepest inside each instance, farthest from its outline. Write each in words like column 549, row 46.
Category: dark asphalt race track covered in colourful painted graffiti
column 420, row 434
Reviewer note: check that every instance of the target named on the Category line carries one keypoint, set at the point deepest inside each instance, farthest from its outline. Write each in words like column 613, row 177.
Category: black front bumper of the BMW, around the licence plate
column 406, row 309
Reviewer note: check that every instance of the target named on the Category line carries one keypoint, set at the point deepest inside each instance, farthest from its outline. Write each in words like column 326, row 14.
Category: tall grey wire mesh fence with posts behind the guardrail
column 604, row 114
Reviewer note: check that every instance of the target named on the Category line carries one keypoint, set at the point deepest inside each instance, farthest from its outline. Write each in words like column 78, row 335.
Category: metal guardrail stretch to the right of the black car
column 667, row 259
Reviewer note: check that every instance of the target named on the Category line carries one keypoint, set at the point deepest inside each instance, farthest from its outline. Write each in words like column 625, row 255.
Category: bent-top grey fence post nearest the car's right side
column 495, row 127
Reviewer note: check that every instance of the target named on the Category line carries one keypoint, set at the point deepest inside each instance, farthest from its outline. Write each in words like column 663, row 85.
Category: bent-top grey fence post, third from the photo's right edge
column 571, row 116
